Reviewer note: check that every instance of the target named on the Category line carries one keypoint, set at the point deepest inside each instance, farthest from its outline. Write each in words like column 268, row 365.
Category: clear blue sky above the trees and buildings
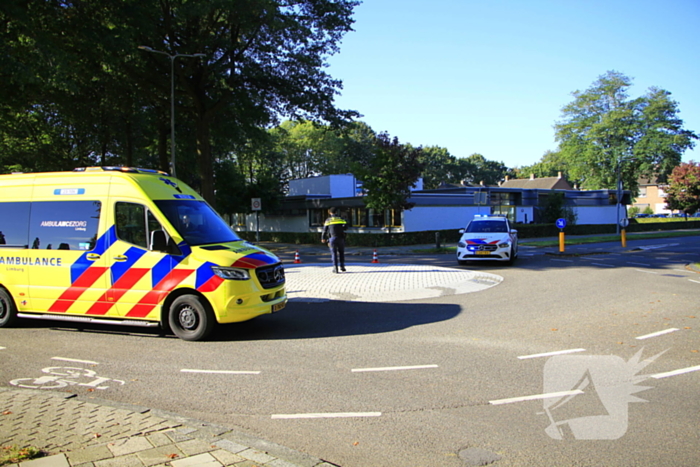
column 491, row 76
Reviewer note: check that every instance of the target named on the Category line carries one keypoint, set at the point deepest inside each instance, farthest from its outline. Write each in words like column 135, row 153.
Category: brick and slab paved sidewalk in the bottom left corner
column 79, row 433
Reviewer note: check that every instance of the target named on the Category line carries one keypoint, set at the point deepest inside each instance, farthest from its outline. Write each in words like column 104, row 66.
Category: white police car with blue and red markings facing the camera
column 488, row 238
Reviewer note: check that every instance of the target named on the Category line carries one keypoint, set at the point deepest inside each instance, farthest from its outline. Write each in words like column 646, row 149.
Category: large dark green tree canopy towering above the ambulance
column 90, row 95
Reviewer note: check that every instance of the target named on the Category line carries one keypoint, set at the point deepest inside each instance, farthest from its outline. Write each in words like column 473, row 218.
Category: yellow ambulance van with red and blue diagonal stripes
column 127, row 246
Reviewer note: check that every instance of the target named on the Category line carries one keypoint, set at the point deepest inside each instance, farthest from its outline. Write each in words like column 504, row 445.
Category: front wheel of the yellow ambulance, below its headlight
column 190, row 319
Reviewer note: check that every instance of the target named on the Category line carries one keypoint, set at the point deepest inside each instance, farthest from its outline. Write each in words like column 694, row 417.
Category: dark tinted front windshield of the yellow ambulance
column 197, row 222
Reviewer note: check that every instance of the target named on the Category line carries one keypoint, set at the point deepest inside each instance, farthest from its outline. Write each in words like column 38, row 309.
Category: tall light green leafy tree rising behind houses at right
column 604, row 133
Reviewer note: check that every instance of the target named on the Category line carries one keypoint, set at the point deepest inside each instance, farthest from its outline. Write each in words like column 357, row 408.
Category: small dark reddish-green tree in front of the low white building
column 391, row 173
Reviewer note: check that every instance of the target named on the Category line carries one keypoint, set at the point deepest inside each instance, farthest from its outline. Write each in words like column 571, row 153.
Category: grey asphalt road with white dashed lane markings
column 455, row 380
